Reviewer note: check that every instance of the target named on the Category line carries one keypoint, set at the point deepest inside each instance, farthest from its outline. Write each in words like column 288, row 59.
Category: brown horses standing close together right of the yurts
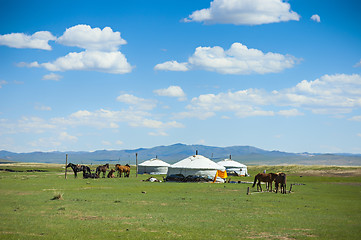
column 269, row 178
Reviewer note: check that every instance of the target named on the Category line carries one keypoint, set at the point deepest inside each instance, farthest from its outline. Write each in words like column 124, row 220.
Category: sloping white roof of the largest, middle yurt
column 197, row 162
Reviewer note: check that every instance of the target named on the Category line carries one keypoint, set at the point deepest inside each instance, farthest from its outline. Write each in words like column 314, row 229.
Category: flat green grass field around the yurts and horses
column 326, row 207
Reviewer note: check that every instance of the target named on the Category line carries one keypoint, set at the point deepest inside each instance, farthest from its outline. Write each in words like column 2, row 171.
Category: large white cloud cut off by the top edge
column 245, row 12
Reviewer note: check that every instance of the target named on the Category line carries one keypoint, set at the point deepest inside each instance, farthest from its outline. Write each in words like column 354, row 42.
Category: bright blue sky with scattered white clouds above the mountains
column 90, row 75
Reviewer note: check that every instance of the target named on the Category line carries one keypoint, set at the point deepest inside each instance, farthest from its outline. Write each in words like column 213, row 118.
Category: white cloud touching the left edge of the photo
column 38, row 40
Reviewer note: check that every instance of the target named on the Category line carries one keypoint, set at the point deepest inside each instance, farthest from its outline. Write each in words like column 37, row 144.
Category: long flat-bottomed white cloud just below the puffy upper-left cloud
column 110, row 62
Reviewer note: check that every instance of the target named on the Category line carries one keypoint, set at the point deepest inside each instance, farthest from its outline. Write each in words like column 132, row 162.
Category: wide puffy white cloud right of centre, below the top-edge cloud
column 239, row 60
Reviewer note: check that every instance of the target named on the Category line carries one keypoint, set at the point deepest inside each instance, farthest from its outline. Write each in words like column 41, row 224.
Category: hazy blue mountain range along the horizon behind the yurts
column 173, row 153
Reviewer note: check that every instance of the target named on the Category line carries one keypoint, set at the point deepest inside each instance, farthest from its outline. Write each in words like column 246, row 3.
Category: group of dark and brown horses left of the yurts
column 121, row 169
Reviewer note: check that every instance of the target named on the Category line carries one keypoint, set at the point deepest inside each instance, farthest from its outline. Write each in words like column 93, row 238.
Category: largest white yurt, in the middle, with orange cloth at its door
column 196, row 165
